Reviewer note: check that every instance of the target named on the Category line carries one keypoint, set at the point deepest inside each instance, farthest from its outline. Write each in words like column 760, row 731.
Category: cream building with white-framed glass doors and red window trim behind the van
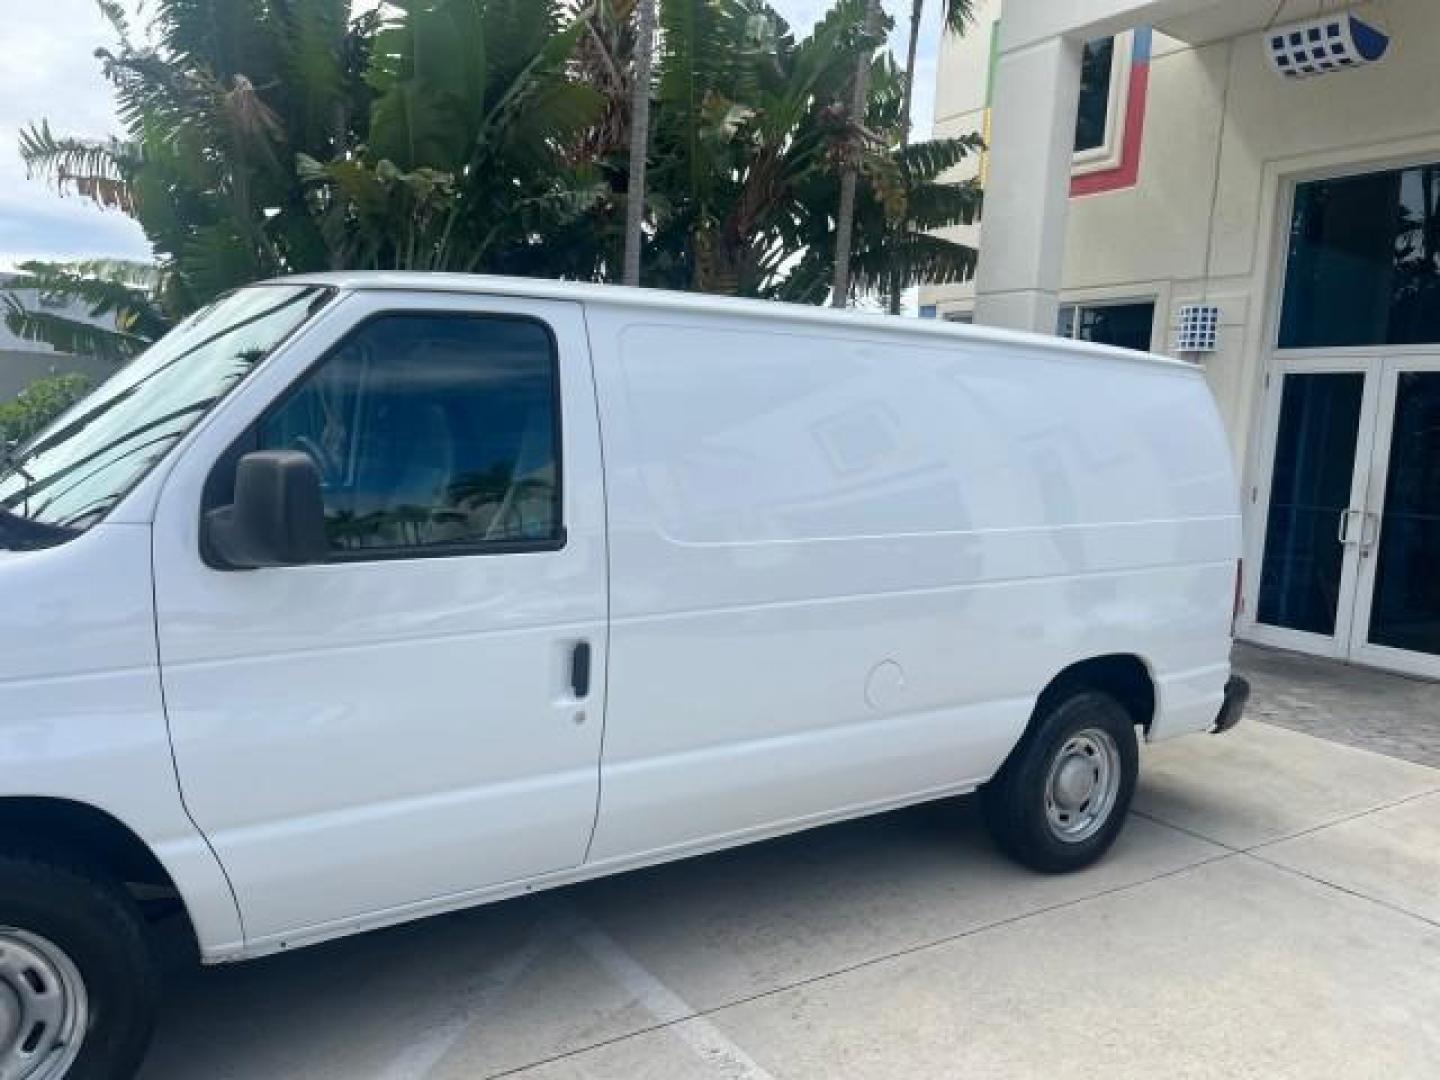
column 1148, row 156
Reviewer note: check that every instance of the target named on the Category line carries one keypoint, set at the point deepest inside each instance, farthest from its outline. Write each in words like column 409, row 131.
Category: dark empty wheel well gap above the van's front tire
column 60, row 827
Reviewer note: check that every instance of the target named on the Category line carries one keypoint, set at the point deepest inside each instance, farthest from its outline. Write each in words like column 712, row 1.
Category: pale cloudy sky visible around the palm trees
column 50, row 73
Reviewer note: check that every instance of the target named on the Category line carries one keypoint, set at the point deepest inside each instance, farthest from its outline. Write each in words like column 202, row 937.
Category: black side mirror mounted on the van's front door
column 279, row 516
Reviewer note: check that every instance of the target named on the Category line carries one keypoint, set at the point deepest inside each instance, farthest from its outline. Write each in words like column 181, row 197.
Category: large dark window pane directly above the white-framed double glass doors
column 1364, row 266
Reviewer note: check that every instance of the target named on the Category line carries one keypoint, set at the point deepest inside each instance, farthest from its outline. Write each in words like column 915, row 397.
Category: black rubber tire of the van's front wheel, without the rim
column 99, row 928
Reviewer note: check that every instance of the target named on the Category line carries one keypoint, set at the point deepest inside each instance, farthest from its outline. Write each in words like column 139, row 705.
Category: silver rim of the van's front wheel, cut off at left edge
column 44, row 1009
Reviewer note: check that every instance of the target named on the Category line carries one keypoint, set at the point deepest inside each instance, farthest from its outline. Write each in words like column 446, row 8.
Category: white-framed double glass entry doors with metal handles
column 1349, row 564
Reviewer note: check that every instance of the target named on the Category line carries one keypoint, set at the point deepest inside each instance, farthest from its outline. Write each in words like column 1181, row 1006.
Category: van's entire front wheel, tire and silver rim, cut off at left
column 78, row 984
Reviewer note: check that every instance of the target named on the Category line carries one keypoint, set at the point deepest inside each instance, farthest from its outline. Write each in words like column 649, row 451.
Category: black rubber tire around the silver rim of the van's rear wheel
column 1014, row 803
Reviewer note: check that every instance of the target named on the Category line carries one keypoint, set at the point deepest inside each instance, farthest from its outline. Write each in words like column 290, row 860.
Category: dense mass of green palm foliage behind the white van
column 267, row 138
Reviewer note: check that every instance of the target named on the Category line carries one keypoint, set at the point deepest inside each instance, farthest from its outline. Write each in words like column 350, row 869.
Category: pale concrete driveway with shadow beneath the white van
column 1272, row 911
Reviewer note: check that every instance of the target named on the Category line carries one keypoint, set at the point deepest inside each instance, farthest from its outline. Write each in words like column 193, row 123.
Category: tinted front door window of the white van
column 434, row 434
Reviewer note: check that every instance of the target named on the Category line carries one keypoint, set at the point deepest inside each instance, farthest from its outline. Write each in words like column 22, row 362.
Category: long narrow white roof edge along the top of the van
column 699, row 303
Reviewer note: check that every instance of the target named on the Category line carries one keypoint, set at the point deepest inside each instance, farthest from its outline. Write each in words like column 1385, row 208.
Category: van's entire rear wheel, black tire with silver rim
column 1062, row 797
